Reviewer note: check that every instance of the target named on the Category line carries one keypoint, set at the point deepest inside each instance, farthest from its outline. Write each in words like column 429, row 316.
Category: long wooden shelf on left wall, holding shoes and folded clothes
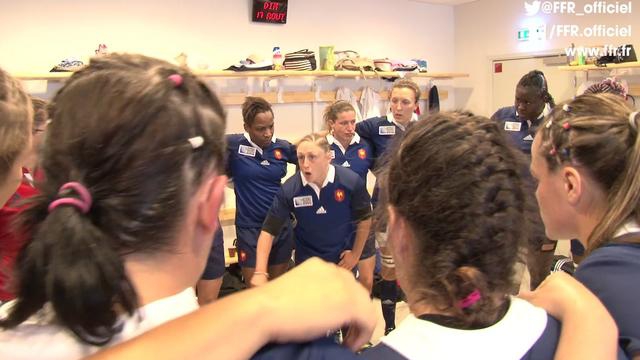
column 274, row 74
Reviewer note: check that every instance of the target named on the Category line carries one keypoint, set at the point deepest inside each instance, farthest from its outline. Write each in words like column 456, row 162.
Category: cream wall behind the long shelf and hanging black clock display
column 37, row 34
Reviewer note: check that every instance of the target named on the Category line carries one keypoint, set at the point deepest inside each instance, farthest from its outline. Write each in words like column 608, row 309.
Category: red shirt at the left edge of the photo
column 11, row 242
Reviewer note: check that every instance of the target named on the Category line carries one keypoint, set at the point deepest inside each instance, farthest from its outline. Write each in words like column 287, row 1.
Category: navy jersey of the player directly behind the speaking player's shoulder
column 357, row 157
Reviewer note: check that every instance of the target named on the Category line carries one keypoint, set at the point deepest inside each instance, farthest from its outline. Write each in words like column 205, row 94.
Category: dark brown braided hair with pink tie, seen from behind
column 459, row 184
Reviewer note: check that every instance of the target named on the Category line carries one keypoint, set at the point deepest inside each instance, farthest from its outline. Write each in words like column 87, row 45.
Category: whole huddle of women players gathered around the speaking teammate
column 121, row 220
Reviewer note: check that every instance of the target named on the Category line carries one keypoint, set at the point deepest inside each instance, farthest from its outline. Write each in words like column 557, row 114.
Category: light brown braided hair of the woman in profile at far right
column 597, row 132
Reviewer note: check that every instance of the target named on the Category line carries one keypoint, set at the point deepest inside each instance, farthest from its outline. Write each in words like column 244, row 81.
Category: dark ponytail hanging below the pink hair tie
column 70, row 264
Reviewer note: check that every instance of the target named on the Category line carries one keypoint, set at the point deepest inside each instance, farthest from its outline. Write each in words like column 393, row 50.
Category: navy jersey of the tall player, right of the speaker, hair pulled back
column 379, row 132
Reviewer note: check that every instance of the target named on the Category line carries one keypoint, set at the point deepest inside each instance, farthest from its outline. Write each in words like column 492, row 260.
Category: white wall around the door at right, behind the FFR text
column 487, row 29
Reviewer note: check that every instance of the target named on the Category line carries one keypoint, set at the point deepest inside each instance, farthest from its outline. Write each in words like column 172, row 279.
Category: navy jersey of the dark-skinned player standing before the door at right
column 519, row 130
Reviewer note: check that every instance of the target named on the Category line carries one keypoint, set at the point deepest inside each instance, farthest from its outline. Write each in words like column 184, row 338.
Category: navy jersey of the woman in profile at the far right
column 611, row 273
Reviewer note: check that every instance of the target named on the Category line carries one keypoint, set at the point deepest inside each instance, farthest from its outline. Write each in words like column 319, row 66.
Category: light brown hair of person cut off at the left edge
column 15, row 122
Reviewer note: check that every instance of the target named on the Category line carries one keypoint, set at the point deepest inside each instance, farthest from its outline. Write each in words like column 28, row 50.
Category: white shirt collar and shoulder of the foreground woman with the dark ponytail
column 40, row 338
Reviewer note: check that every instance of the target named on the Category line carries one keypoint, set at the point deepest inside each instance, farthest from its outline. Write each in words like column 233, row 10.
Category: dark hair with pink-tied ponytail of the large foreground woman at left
column 121, row 127
